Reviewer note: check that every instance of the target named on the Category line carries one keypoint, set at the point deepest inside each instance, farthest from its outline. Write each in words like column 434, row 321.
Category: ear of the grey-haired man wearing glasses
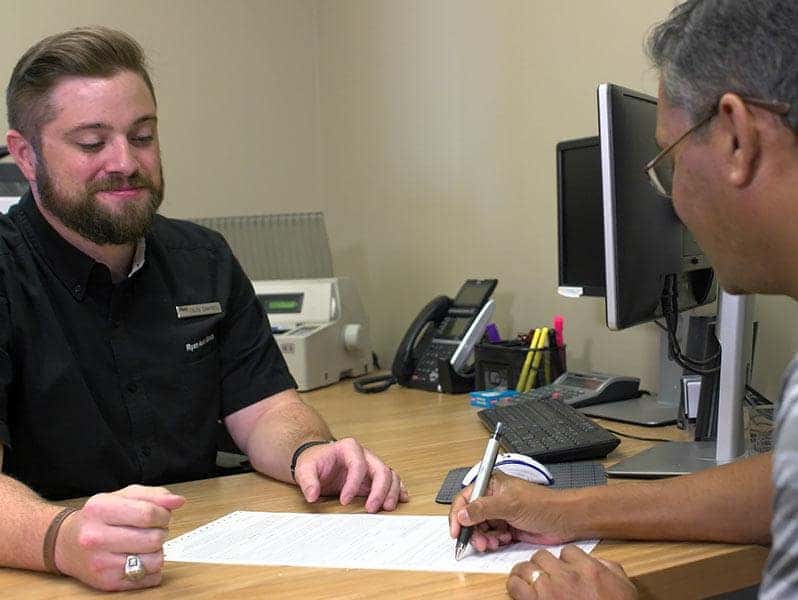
column 742, row 142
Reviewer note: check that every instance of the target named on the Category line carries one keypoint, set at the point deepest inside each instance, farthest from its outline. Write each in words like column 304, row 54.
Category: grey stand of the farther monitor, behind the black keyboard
column 650, row 411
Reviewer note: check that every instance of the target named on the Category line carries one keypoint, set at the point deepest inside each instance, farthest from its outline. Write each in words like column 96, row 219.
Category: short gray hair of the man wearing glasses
column 706, row 48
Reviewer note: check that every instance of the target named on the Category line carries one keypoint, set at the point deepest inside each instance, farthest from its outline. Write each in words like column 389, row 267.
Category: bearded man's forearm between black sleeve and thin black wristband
column 279, row 429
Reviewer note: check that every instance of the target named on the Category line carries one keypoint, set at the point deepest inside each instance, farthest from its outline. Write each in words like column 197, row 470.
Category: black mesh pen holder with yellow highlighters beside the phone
column 498, row 365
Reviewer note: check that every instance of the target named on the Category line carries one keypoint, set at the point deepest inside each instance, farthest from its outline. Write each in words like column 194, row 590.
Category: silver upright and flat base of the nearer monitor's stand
column 679, row 458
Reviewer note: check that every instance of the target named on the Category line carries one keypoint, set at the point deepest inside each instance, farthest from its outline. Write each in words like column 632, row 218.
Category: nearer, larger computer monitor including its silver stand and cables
column 653, row 266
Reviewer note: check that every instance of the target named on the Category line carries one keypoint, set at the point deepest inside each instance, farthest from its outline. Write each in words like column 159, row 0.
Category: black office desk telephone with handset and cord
column 443, row 334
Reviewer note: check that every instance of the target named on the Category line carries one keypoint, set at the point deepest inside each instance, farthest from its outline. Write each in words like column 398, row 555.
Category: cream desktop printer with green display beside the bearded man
column 320, row 326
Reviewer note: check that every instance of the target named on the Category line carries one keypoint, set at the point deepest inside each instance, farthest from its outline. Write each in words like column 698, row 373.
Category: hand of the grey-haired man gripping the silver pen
column 512, row 510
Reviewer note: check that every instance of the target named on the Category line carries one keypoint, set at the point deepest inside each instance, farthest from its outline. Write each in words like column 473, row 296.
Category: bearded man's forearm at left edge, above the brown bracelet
column 25, row 520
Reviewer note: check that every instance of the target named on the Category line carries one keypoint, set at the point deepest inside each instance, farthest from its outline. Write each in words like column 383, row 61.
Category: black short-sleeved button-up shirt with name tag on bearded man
column 101, row 384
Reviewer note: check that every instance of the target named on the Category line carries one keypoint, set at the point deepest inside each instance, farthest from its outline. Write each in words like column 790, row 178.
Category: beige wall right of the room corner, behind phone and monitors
column 440, row 121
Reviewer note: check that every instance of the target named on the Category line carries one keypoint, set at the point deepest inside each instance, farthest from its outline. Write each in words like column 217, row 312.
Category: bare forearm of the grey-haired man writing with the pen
column 732, row 503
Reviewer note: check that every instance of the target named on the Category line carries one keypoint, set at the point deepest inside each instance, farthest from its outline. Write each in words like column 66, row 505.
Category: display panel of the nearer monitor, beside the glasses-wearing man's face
column 646, row 246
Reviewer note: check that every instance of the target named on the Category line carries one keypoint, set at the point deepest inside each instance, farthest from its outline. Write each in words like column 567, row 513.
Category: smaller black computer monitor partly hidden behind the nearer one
column 580, row 218
